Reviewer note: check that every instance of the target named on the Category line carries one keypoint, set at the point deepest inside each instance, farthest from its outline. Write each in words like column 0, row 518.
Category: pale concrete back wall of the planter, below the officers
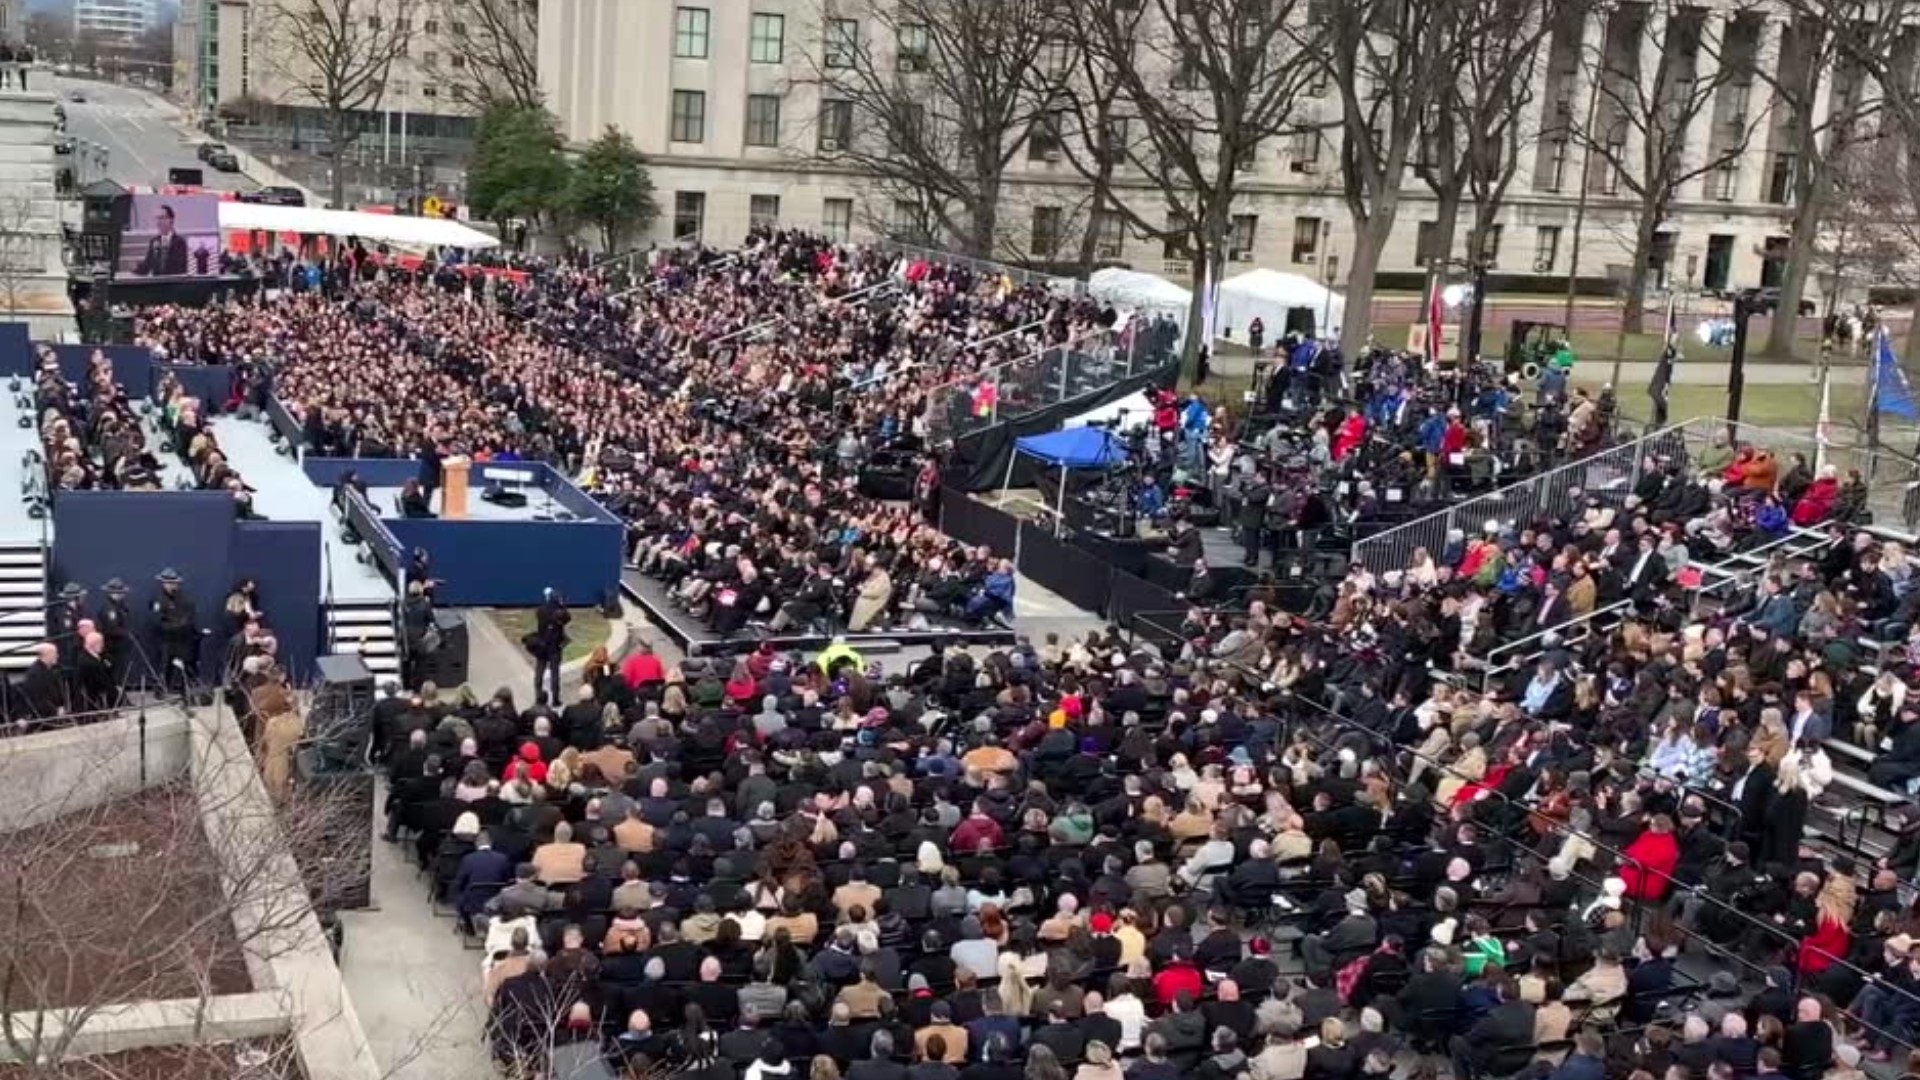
column 66, row 772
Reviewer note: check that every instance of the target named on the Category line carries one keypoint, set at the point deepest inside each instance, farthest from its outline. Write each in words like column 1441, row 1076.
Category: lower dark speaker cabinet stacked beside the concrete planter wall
column 335, row 852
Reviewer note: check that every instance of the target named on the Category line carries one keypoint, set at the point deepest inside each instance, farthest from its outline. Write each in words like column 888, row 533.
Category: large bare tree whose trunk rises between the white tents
column 1176, row 99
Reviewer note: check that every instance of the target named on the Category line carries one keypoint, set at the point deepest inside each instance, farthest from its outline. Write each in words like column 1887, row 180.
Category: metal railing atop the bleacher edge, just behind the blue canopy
column 1045, row 378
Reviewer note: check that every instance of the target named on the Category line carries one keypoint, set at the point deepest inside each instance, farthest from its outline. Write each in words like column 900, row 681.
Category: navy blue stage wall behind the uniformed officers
column 187, row 531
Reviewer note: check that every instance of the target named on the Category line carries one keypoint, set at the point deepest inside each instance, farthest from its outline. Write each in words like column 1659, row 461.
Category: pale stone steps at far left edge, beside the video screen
column 34, row 280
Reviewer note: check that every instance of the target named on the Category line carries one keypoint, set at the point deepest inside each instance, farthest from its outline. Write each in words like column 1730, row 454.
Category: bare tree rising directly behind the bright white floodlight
column 1476, row 130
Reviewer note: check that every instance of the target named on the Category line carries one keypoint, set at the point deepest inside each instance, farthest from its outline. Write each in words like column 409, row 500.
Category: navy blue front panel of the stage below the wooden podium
column 512, row 564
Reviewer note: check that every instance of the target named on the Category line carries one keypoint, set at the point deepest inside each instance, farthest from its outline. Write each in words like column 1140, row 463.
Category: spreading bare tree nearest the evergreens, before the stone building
column 932, row 101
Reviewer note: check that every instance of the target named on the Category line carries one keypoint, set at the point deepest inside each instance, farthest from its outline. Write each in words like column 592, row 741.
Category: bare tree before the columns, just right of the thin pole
column 1658, row 76
